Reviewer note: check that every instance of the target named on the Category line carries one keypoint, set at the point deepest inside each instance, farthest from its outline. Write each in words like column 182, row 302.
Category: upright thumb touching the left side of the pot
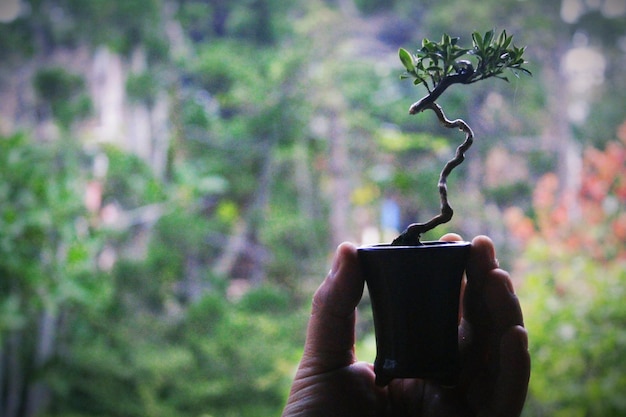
column 330, row 333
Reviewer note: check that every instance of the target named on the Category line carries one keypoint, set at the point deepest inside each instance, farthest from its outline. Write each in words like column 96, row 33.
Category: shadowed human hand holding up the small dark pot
column 493, row 346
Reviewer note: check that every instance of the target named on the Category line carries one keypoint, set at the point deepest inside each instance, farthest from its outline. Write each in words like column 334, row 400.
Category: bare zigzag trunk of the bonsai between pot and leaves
column 411, row 236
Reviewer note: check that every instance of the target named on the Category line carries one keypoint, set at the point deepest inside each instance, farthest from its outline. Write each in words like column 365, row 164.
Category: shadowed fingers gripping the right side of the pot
column 492, row 335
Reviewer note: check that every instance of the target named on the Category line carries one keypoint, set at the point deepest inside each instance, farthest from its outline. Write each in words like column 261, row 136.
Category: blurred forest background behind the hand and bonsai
column 175, row 175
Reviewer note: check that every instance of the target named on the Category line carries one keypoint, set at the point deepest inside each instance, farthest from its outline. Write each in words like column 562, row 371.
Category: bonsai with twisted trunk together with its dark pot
column 415, row 286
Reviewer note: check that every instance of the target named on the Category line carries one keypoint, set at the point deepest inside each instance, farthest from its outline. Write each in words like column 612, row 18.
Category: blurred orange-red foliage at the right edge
column 590, row 220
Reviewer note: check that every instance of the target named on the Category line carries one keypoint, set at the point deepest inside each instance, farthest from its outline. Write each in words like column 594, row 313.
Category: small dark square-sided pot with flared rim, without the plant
column 415, row 293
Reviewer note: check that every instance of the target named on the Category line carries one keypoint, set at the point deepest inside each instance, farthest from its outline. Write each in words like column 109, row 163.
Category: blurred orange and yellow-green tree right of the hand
column 573, row 264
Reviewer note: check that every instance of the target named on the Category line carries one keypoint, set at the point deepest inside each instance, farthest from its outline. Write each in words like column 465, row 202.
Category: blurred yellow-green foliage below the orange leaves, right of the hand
column 576, row 318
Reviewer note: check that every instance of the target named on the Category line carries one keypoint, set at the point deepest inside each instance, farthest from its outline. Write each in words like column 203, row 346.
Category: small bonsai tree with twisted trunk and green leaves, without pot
column 437, row 66
